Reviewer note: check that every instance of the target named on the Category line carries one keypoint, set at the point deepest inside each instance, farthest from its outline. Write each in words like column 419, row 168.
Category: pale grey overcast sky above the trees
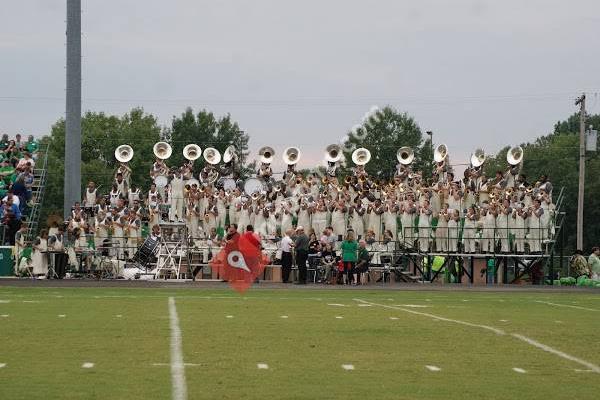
column 476, row 73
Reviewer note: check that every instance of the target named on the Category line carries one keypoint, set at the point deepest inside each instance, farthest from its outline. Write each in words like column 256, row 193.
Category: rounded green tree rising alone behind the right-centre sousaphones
column 383, row 133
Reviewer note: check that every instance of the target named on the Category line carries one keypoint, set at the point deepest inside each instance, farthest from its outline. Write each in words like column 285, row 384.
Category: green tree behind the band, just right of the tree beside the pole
column 205, row 130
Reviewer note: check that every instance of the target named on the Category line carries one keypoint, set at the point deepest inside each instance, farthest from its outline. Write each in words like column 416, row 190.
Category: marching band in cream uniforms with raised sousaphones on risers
column 439, row 214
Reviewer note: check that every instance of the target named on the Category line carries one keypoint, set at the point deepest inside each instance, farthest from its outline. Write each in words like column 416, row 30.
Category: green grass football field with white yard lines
column 389, row 337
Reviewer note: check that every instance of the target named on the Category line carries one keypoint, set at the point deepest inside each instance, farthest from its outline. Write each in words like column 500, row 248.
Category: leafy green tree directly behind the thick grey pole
column 101, row 134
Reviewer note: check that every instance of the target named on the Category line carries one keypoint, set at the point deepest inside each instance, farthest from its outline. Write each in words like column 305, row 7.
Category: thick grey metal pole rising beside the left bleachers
column 72, row 188
